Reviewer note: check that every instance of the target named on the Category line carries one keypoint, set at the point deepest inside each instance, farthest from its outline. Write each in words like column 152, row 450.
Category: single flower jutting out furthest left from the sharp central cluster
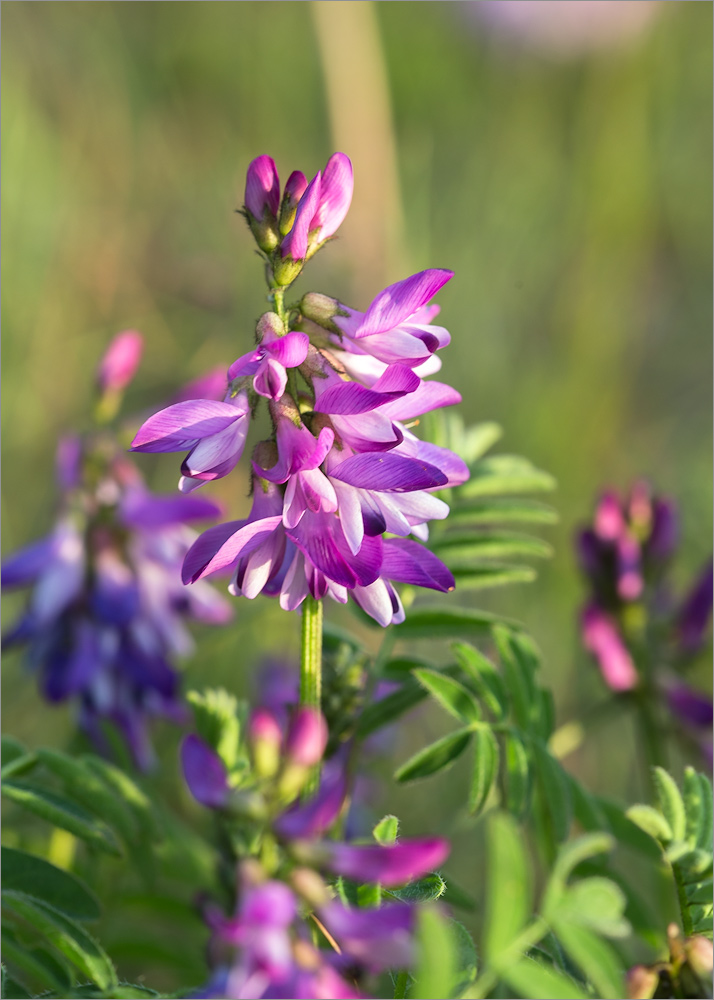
column 214, row 431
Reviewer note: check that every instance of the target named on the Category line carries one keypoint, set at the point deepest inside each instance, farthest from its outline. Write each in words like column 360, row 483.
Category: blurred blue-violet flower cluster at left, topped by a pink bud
column 107, row 609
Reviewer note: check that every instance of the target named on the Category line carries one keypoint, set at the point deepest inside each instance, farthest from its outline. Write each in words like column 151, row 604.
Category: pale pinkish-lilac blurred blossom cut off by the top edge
column 565, row 27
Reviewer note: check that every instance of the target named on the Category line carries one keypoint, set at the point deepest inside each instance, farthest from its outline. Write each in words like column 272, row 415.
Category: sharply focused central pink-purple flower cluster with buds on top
column 343, row 469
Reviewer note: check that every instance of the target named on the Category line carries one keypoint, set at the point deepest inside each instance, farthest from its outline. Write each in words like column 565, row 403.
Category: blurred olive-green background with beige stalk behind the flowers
column 556, row 156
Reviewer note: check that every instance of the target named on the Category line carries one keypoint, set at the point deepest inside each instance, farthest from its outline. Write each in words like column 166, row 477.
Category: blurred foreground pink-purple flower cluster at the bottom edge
column 292, row 933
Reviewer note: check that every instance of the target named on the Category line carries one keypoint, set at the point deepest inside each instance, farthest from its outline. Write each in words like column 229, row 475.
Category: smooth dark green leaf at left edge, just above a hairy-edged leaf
column 37, row 877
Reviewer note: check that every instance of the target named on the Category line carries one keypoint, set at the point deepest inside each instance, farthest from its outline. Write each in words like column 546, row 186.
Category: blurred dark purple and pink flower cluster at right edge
column 625, row 555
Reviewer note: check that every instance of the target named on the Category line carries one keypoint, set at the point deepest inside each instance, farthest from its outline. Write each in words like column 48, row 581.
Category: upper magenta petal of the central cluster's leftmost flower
column 181, row 425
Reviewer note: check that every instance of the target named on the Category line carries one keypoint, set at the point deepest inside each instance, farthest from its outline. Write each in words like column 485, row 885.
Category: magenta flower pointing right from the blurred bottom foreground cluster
column 394, row 864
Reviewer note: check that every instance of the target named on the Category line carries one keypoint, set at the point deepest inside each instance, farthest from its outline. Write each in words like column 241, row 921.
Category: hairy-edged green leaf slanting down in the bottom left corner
column 65, row 934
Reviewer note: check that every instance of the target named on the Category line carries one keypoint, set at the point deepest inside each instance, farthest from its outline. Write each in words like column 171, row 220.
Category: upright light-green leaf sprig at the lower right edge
column 682, row 826
